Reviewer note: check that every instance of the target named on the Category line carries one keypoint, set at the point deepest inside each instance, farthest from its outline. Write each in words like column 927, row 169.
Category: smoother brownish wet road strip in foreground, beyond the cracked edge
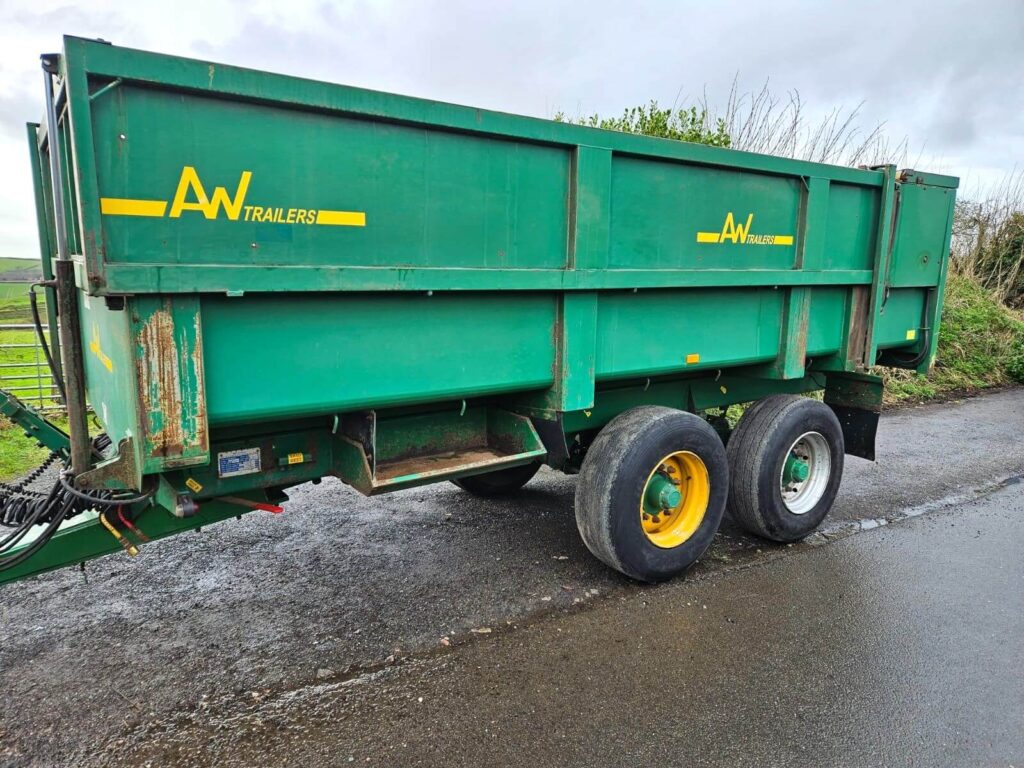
column 902, row 647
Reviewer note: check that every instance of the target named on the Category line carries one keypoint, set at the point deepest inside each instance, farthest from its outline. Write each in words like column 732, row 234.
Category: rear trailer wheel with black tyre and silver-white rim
column 786, row 464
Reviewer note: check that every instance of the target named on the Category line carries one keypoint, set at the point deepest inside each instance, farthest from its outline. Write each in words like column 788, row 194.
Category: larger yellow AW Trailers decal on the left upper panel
column 191, row 196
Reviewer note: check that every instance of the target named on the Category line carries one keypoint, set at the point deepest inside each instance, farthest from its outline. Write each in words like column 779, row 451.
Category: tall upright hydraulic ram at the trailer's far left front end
column 71, row 330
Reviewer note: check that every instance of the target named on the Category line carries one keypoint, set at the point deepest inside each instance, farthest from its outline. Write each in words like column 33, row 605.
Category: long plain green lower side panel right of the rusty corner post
column 325, row 355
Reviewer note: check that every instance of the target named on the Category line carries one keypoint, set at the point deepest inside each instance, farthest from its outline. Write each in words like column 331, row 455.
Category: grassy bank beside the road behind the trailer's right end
column 982, row 346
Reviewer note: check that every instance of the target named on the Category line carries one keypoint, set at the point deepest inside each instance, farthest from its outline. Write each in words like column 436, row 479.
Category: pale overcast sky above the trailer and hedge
column 948, row 76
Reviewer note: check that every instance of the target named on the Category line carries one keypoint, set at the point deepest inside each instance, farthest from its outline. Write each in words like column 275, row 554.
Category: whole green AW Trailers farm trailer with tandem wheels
column 258, row 281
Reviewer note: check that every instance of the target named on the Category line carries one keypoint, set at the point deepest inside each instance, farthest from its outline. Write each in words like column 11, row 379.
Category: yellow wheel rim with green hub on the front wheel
column 674, row 499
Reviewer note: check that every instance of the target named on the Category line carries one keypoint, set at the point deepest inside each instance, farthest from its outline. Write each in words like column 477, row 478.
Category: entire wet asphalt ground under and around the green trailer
column 278, row 620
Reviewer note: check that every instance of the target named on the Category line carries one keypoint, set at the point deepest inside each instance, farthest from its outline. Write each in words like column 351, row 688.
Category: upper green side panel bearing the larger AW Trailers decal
column 236, row 182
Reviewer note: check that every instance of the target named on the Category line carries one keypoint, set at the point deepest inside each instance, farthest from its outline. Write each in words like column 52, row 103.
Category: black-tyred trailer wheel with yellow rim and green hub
column 652, row 493
